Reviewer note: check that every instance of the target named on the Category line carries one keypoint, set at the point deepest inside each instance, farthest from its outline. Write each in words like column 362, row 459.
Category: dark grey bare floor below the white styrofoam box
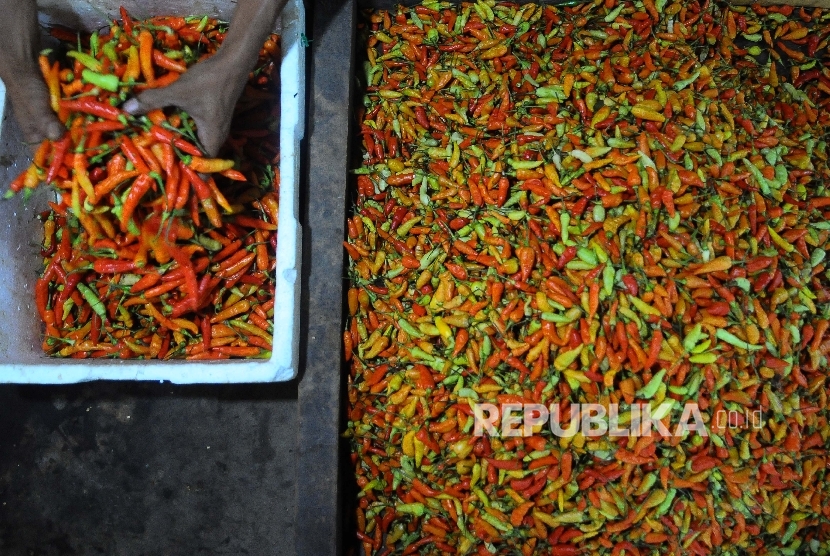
column 147, row 469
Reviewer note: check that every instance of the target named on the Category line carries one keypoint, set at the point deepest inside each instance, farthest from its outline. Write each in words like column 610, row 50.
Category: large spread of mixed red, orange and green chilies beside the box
column 611, row 203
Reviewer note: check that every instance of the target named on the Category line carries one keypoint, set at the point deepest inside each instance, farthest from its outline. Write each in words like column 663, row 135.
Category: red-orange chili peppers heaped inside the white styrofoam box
column 152, row 250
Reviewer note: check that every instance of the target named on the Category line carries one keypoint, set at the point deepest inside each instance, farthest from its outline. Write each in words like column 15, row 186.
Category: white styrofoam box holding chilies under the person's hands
column 21, row 358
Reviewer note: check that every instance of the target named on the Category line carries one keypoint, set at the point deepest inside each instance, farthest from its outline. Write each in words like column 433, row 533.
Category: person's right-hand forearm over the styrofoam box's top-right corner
column 252, row 21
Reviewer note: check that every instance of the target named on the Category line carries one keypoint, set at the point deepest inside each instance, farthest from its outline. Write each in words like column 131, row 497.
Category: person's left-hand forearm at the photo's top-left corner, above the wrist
column 19, row 40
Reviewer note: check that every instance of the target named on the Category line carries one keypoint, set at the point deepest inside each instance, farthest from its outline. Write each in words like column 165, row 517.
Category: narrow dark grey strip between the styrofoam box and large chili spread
column 320, row 500
